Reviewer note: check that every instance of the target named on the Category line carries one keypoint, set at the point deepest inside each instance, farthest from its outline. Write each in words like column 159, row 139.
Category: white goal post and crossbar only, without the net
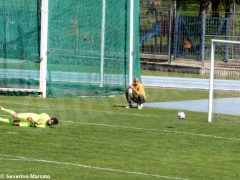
column 211, row 80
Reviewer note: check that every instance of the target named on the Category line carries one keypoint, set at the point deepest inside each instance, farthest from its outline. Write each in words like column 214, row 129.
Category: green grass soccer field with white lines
column 98, row 138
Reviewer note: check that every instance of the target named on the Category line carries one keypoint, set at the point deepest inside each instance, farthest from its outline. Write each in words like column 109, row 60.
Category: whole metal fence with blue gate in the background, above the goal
column 180, row 34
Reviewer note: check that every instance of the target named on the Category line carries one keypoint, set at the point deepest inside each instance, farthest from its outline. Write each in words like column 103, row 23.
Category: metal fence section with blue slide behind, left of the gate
column 154, row 28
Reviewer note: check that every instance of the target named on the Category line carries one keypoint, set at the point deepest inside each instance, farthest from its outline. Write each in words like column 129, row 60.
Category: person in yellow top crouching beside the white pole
column 136, row 93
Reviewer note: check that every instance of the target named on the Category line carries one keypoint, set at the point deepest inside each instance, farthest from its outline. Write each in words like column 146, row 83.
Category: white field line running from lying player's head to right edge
column 159, row 130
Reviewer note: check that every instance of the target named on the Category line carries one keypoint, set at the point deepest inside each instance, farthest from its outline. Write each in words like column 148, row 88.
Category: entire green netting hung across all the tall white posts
column 88, row 46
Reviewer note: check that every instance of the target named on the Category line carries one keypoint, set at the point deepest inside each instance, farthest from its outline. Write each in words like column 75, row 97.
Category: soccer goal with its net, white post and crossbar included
column 224, row 88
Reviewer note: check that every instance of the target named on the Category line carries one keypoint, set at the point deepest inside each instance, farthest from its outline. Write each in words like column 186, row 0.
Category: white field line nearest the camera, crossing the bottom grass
column 21, row 158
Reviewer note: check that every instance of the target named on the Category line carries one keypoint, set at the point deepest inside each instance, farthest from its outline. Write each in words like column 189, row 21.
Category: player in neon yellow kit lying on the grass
column 28, row 119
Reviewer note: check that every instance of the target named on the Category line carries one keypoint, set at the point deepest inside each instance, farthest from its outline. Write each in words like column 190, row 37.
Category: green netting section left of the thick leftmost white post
column 19, row 44
